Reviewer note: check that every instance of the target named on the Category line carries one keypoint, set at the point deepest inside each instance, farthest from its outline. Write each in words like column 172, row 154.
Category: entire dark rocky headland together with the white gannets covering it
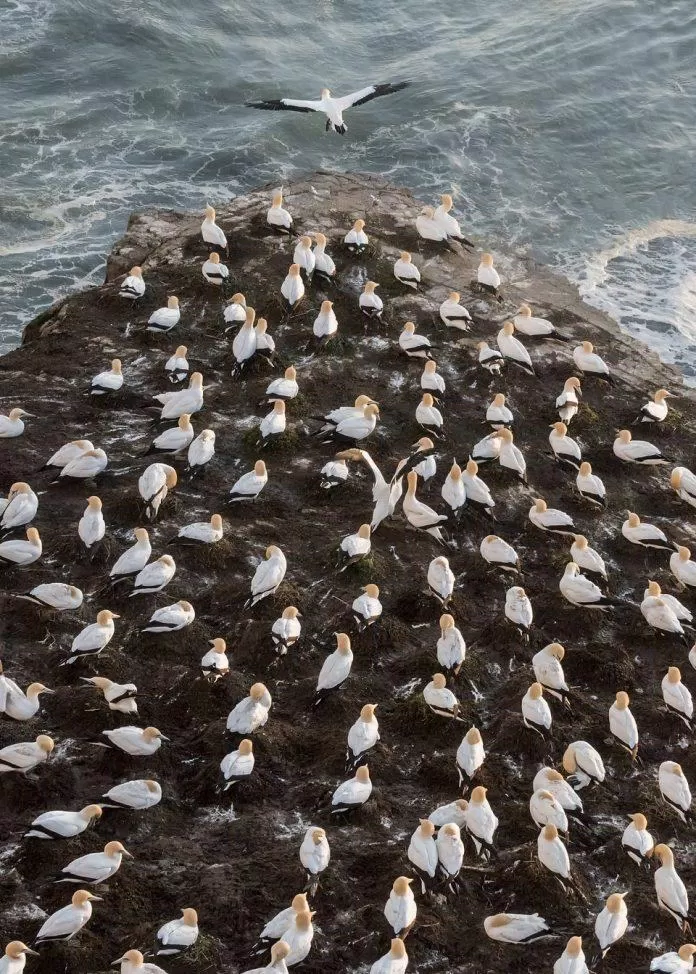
column 347, row 602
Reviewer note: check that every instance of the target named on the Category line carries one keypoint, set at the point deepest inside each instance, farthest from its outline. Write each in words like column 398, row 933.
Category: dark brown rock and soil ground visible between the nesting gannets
column 238, row 867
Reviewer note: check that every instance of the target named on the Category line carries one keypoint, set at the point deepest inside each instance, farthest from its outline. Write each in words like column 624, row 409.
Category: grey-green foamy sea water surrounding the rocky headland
column 564, row 128
